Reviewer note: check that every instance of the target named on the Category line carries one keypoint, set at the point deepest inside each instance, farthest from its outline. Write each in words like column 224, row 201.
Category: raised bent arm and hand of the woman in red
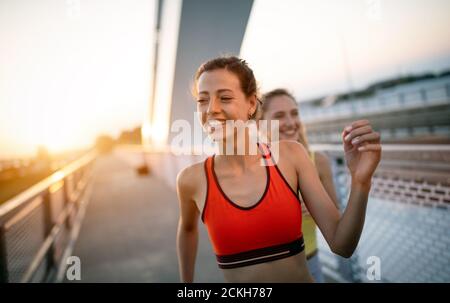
column 342, row 232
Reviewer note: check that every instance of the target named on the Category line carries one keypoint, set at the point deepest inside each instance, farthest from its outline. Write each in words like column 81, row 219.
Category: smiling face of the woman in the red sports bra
column 220, row 98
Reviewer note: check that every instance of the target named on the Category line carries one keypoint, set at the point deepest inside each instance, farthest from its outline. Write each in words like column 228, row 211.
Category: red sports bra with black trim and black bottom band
column 271, row 229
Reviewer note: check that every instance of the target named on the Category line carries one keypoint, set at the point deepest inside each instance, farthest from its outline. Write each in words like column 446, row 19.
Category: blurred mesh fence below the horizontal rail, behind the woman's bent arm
column 408, row 216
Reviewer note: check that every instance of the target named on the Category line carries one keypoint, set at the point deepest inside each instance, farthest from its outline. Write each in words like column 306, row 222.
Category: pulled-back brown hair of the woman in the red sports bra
column 240, row 68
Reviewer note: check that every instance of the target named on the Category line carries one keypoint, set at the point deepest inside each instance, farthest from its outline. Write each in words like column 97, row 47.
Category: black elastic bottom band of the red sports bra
column 261, row 255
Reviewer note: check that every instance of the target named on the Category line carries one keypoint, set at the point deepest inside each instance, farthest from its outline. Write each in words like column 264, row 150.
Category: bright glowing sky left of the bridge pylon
column 66, row 78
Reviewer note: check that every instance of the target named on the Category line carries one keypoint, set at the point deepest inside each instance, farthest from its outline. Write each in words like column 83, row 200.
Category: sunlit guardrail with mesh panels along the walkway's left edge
column 38, row 226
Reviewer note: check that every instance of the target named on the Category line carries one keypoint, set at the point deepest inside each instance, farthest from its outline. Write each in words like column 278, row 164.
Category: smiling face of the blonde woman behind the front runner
column 284, row 109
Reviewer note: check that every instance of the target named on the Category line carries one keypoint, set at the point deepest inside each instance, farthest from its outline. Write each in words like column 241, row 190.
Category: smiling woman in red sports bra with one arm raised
column 247, row 197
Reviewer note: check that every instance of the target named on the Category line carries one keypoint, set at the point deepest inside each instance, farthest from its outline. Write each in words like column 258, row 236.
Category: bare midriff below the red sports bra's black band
column 292, row 269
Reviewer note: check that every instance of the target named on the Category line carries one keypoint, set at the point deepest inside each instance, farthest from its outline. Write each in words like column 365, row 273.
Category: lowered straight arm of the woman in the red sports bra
column 187, row 234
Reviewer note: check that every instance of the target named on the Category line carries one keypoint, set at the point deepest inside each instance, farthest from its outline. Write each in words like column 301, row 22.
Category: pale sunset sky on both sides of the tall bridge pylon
column 70, row 70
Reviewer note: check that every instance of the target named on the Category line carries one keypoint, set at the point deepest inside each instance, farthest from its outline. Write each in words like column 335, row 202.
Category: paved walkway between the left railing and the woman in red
column 129, row 230
